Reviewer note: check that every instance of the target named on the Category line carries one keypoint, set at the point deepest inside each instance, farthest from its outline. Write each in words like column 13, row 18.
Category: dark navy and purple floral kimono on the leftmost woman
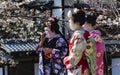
column 53, row 65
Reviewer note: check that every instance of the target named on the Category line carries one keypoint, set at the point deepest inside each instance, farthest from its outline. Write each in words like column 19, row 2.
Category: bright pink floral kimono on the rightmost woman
column 100, row 47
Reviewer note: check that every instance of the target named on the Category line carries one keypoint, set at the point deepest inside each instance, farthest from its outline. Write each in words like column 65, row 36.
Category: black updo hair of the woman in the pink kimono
column 91, row 18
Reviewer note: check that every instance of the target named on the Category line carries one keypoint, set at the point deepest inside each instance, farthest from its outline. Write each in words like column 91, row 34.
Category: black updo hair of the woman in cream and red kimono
column 79, row 16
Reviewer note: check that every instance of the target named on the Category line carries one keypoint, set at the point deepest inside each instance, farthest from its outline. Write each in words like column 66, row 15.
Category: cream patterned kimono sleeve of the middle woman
column 77, row 50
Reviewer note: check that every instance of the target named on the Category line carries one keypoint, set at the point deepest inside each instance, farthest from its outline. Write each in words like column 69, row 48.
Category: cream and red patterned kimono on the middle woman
column 76, row 63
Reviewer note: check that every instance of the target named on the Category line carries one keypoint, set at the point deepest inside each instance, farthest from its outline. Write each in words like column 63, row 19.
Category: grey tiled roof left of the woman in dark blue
column 18, row 46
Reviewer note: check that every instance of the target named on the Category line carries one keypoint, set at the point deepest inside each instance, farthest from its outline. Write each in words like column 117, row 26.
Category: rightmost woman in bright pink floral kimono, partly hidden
column 96, row 34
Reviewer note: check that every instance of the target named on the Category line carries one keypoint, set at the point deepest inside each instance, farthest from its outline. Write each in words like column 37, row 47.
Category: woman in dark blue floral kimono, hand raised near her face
column 52, row 48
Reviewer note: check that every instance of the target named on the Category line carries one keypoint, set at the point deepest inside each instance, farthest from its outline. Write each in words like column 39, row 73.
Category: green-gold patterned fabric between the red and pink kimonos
column 91, row 55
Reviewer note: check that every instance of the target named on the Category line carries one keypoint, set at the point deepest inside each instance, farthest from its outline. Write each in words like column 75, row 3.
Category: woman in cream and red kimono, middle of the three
column 76, row 63
